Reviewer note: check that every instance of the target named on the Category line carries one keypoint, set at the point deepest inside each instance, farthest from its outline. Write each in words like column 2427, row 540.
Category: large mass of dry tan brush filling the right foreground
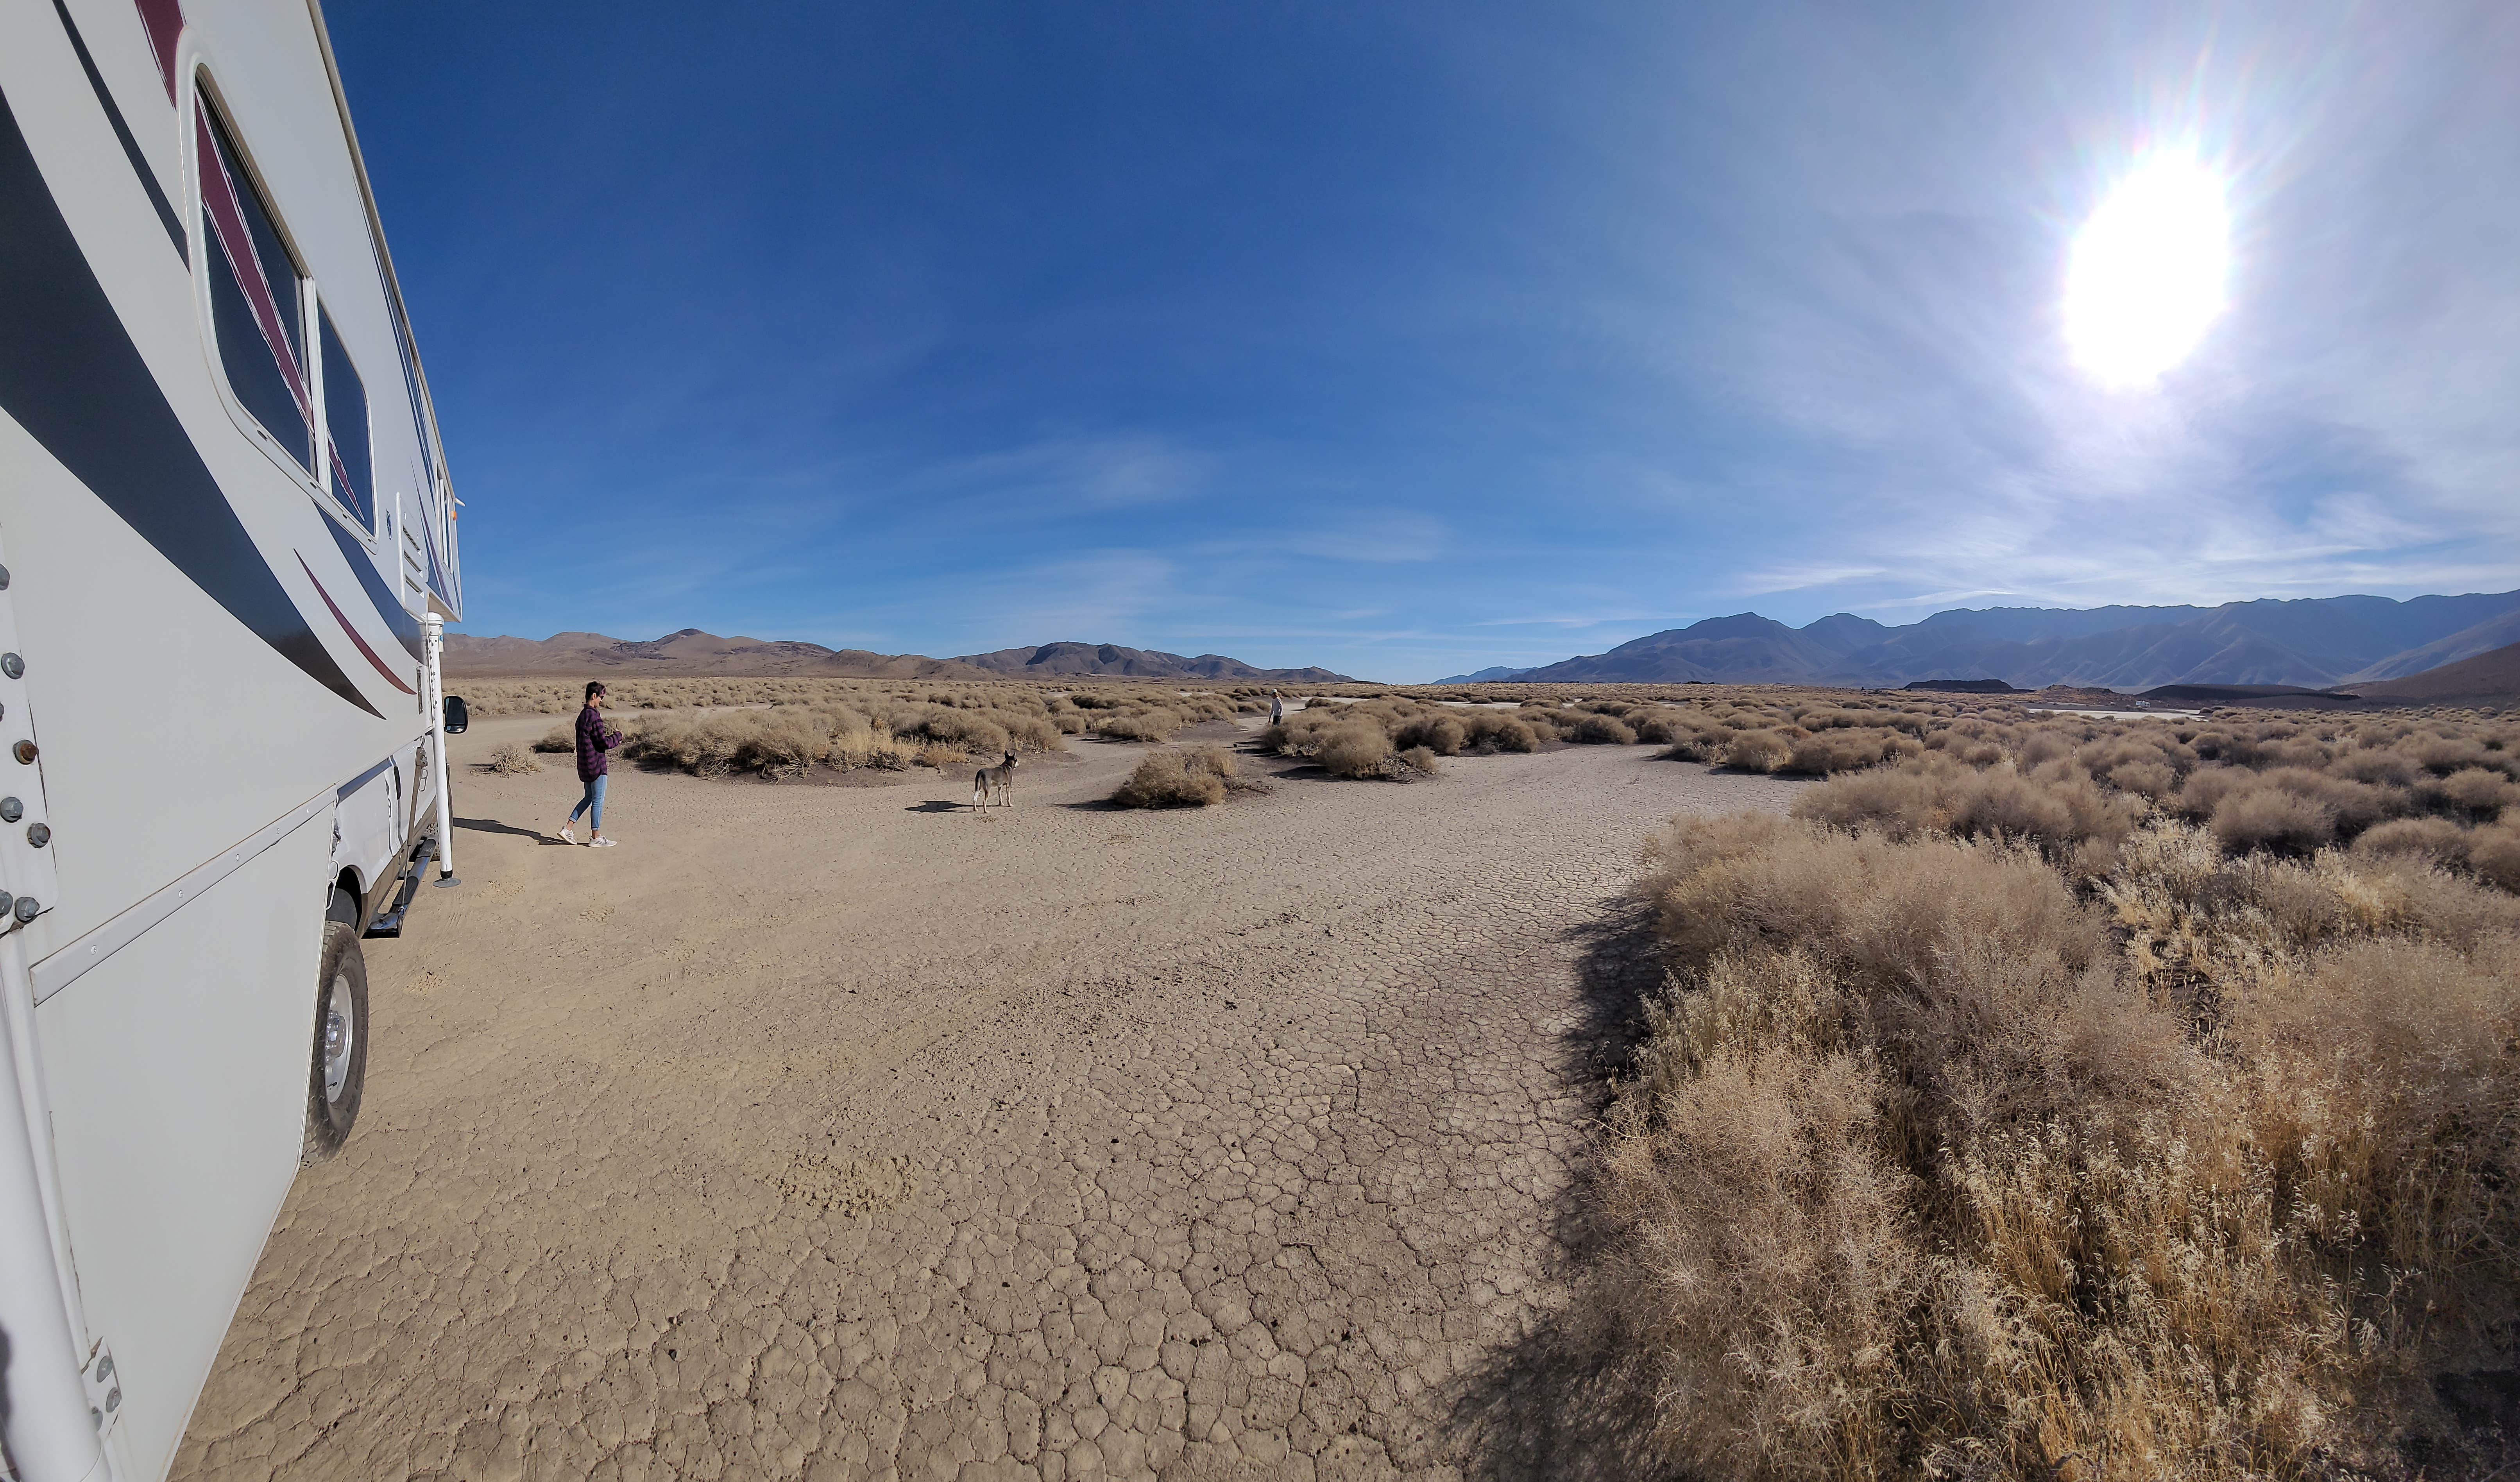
column 1934, row 1168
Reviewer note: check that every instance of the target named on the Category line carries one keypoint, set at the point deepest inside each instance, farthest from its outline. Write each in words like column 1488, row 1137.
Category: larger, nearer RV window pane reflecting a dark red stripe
column 256, row 299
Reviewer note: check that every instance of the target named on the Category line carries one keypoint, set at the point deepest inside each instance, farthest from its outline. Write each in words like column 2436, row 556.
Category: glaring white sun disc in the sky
column 2148, row 273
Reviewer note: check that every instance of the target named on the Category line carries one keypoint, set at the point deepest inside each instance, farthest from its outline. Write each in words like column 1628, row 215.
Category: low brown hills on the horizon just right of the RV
column 704, row 654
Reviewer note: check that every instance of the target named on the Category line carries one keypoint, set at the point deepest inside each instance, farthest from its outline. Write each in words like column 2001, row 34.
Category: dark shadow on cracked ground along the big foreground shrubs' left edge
column 1559, row 1405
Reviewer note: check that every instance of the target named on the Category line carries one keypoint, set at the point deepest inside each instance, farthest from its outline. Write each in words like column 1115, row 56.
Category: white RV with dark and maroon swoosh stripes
column 228, row 548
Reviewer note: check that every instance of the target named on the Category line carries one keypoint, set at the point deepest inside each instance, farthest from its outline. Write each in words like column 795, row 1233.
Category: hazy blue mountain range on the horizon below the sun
column 2312, row 641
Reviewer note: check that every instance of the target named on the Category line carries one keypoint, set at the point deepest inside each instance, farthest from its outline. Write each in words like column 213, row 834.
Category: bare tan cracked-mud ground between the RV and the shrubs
column 835, row 1133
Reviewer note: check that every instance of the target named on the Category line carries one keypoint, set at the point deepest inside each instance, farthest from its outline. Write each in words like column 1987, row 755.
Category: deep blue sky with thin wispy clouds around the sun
column 1412, row 339
